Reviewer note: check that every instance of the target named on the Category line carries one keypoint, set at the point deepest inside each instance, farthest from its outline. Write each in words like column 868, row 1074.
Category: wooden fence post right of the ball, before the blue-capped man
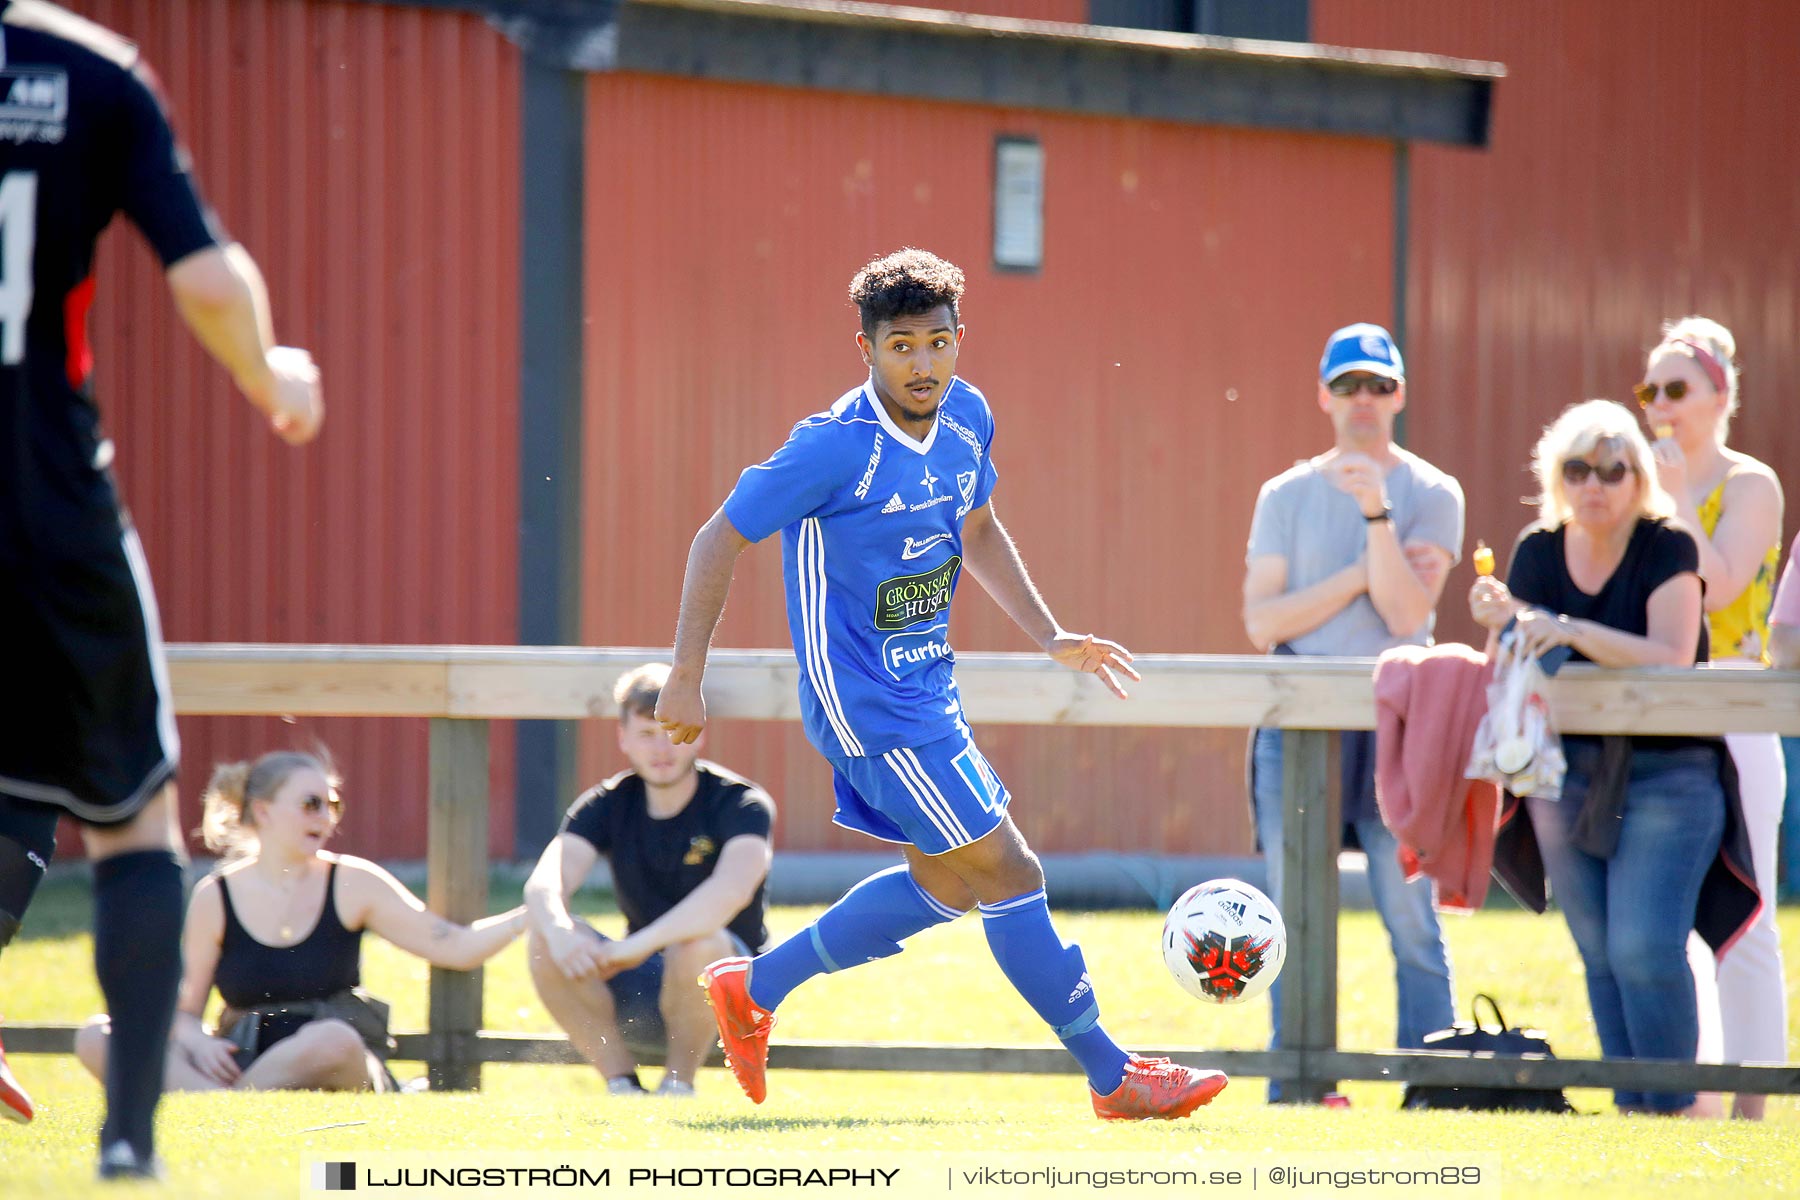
column 1311, row 837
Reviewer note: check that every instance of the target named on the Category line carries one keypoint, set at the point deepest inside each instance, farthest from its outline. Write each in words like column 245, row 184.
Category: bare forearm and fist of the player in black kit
column 222, row 298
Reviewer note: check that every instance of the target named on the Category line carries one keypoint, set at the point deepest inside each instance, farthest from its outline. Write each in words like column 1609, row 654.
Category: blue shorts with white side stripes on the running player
column 939, row 796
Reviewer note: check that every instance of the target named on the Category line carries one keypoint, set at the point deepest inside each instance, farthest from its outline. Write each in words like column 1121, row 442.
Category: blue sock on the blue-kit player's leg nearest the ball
column 1052, row 976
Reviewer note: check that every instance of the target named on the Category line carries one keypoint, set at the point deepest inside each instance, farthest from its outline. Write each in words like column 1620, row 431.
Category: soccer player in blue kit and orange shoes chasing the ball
column 881, row 501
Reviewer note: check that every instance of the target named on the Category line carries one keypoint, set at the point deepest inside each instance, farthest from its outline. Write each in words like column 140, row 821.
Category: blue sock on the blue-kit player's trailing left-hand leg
column 868, row 924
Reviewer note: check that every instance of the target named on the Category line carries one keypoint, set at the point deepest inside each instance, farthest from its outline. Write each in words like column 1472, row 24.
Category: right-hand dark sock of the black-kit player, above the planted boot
column 138, row 956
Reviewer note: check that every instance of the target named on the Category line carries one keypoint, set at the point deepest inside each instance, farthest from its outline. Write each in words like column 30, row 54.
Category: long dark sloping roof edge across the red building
column 906, row 53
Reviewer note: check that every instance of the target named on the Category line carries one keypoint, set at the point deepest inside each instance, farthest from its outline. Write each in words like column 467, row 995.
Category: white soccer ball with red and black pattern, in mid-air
column 1225, row 942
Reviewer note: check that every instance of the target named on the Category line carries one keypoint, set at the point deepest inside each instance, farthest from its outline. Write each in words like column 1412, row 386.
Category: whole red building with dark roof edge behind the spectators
column 568, row 276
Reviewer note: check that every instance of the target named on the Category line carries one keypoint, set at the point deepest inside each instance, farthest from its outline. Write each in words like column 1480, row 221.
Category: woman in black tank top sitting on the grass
column 280, row 924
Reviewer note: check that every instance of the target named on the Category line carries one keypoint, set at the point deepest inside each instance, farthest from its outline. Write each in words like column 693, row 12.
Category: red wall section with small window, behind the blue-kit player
column 1156, row 372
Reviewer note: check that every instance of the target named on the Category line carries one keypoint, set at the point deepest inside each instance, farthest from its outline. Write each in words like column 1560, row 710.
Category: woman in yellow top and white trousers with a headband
column 1734, row 508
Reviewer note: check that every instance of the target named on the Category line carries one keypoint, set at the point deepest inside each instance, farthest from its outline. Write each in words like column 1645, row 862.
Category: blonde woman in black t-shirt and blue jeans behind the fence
column 1633, row 848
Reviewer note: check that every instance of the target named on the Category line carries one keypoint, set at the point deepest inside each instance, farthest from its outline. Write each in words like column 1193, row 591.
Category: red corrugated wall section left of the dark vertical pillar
column 368, row 157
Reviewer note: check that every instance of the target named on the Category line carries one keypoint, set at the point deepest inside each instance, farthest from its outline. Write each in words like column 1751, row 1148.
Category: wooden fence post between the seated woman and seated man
column 458, row 891
